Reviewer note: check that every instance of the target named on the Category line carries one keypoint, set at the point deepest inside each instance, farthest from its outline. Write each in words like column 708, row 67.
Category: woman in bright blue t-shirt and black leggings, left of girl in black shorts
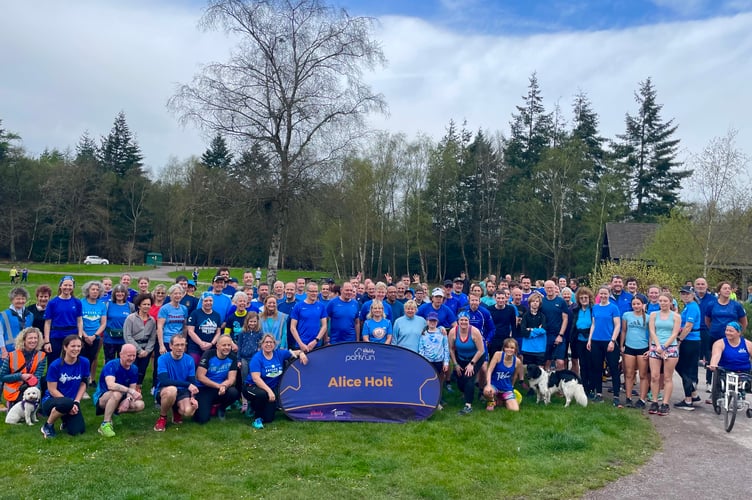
column 601, row 345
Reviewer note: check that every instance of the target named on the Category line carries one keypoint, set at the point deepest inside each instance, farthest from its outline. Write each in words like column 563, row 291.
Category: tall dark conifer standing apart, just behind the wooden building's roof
column 648, row 154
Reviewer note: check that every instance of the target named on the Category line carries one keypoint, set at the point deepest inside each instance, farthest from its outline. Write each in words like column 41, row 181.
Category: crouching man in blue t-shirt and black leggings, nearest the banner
column 216, row 374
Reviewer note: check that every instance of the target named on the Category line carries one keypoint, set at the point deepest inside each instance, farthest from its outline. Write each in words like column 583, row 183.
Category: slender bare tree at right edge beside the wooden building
column 719, row 181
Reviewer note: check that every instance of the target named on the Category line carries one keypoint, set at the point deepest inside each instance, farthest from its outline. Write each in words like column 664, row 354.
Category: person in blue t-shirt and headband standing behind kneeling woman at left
column 62, row 317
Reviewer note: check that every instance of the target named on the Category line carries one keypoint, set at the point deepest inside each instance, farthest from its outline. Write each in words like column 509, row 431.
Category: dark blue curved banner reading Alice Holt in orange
column 360, row 382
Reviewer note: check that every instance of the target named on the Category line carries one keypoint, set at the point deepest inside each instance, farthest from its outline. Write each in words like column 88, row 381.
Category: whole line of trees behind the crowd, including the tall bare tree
column 293, row 178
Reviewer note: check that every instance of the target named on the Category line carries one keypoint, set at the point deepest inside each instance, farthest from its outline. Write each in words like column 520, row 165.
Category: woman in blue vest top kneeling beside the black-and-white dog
column 504, row 369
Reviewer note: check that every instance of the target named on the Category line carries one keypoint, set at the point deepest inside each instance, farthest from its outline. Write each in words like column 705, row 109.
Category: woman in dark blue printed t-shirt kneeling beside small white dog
column 66, row 384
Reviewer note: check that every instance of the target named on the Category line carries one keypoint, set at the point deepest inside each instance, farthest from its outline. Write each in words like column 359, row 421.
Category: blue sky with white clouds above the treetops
column 70, row 67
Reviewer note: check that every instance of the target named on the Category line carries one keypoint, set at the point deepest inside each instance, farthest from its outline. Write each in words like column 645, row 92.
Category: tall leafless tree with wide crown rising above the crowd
column 293, row 85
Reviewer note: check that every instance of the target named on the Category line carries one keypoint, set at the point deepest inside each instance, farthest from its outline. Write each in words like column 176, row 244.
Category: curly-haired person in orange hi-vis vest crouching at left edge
column 24, row 365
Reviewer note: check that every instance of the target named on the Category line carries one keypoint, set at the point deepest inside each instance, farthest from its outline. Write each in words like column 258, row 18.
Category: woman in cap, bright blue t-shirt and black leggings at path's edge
column 689, row 348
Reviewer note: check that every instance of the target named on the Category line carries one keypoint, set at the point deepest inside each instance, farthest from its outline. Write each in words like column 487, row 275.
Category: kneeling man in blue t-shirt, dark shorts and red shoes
column 176, row 384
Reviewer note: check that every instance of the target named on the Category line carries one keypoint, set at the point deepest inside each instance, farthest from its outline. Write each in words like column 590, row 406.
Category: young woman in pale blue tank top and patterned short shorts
column 664, row 326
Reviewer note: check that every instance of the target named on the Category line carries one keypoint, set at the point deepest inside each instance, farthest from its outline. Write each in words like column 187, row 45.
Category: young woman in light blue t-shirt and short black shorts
column 634, row 348
